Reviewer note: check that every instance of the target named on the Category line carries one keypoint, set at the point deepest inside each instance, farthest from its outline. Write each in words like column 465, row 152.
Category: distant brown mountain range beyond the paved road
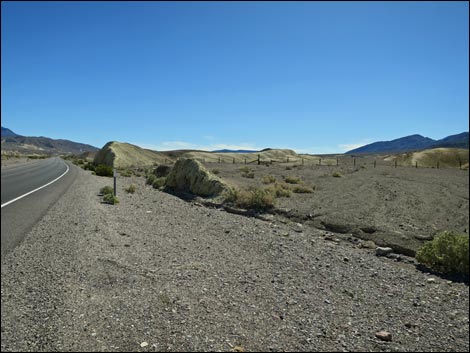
column 41, row 145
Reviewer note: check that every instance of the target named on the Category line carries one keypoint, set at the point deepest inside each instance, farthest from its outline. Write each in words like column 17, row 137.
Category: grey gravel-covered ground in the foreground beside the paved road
column 156, row 273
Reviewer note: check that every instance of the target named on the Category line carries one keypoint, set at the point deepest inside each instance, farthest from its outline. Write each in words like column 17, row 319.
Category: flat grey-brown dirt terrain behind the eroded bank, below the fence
column 398, row 207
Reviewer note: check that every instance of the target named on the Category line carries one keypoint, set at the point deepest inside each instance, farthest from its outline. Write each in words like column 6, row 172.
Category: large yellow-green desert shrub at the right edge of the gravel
column 446, row 253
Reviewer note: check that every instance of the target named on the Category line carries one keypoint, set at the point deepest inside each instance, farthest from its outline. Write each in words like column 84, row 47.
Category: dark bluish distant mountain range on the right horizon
column 413, row 143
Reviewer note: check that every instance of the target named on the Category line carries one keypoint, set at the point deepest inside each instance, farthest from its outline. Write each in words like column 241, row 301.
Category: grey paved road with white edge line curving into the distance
column 20, row 216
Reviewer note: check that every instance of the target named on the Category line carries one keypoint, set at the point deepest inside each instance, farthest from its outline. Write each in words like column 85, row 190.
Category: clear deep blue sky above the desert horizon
column 317, row 77
